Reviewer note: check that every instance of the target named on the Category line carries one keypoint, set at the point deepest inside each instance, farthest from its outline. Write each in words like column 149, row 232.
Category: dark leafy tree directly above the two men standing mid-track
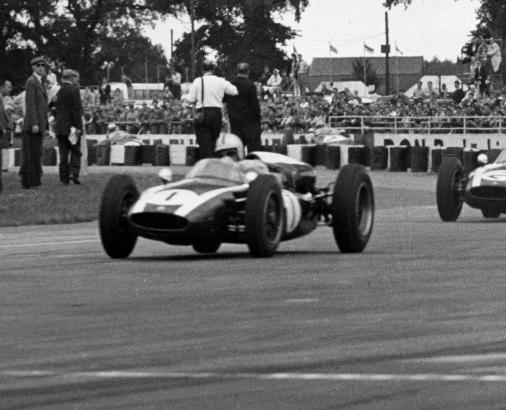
column 239, row 30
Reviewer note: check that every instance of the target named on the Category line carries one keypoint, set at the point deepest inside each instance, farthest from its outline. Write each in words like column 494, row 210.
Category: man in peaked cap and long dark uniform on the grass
column 34, row 125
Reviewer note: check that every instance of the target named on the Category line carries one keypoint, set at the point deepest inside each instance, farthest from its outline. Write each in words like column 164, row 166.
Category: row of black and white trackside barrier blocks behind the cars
column 394, row 158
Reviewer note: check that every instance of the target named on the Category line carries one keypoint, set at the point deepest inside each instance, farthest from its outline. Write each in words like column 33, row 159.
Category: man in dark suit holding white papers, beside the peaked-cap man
column 68, row 127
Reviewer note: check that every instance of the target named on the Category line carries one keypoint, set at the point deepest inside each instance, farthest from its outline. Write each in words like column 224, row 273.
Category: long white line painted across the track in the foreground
column 326, row 377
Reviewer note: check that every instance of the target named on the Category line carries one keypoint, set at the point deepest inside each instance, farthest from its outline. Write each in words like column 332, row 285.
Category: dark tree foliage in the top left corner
column 81, row 34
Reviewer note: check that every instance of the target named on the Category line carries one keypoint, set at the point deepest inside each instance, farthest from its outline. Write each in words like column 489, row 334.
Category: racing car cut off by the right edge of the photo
column 483, row 188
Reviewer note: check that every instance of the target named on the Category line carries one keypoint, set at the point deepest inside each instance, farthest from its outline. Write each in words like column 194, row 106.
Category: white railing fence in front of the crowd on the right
column 420, row 125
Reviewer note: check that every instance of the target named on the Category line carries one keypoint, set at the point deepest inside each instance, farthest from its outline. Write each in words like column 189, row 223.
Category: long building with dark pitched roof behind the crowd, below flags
column 404, row 71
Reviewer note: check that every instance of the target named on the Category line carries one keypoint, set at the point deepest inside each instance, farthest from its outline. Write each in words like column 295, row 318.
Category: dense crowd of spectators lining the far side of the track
column 287, row 107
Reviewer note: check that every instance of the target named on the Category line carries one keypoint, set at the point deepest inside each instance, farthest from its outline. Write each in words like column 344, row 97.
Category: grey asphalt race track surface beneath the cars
column 416, row 321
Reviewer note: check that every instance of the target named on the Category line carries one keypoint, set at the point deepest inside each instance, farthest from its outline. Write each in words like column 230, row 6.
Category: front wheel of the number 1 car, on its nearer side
column 264, row 216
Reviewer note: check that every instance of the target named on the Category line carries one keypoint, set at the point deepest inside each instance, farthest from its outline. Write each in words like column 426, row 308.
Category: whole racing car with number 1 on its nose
column 216, row 203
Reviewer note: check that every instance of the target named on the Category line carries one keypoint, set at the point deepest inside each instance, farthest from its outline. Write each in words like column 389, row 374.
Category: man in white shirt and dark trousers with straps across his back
column 208, row 130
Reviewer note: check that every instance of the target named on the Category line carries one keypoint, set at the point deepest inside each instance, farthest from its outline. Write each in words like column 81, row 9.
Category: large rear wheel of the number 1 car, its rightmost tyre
column 352, row 209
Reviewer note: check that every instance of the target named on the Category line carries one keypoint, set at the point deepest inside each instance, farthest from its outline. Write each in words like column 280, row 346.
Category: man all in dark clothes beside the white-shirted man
column 244, row 110
